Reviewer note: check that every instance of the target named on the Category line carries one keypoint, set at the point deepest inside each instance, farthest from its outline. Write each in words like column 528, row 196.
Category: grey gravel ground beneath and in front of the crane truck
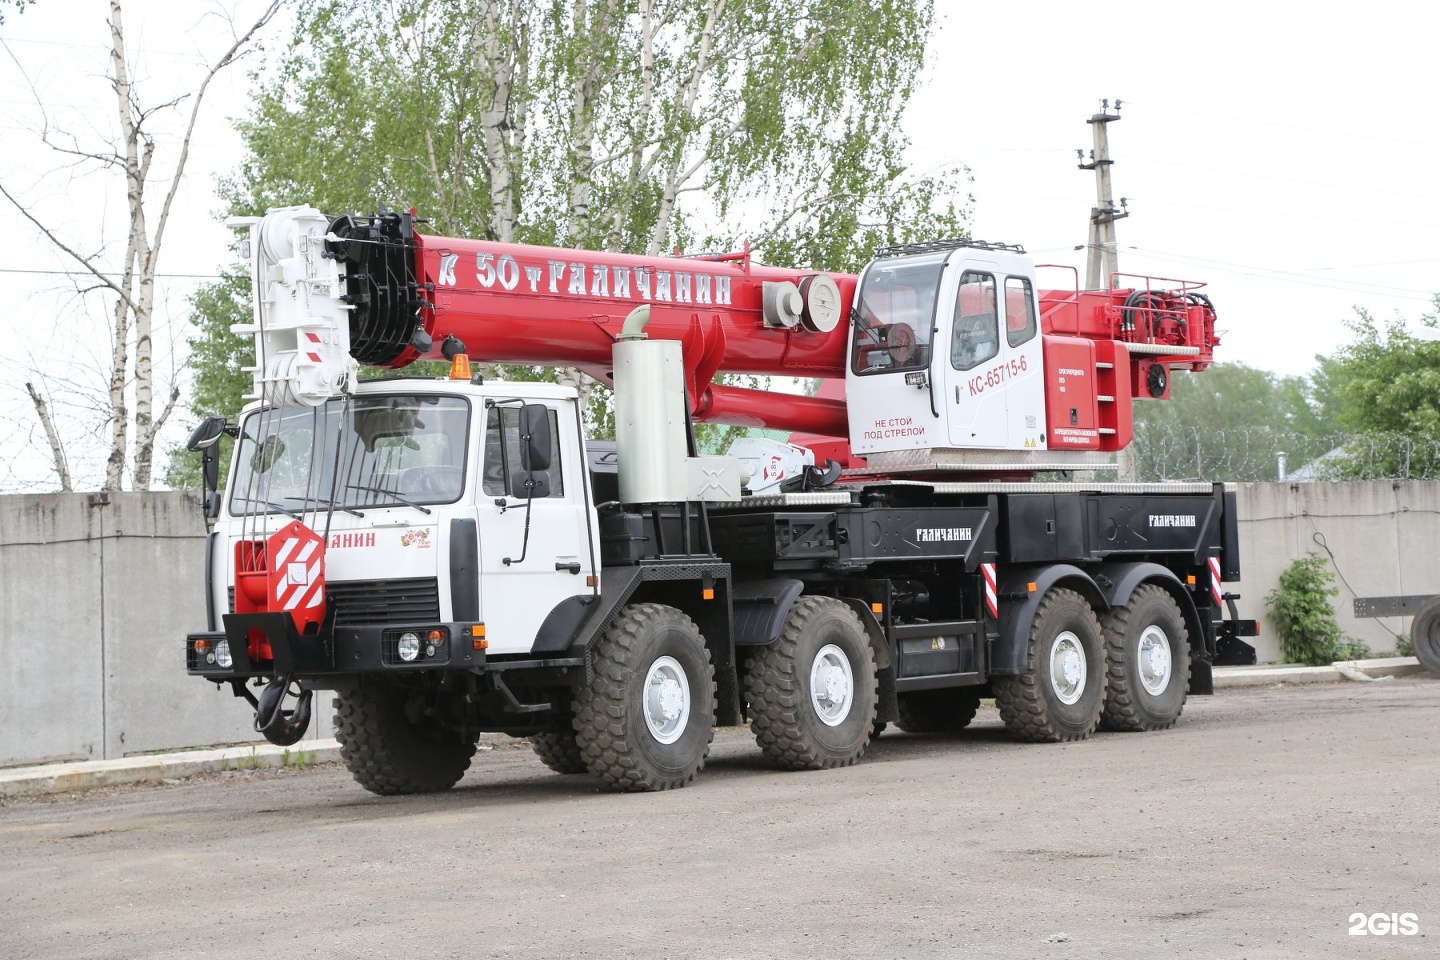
column 1256, row 828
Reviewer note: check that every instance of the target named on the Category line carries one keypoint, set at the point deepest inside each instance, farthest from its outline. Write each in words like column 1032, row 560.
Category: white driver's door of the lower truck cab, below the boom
column 523, row 578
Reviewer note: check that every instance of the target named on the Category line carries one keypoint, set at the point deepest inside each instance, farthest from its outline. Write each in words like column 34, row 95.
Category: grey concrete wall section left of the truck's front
column 97, row 594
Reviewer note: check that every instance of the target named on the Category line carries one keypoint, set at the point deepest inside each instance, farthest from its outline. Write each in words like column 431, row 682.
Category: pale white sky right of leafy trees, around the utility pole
column 1275, row 152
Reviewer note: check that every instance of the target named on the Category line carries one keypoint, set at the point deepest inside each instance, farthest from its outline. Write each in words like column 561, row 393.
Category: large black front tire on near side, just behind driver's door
column 611, row 728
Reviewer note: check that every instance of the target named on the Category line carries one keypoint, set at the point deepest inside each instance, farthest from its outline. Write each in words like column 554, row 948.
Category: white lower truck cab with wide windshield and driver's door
column 415, row 487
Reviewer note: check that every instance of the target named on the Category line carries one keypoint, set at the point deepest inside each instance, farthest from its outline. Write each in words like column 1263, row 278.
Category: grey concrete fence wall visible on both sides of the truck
column 97, row 594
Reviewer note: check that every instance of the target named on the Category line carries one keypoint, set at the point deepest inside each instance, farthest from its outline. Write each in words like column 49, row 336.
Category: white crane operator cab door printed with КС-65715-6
column 993, row 365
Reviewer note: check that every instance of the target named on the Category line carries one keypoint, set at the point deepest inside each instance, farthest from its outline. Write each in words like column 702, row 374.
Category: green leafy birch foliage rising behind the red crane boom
column 598, row 126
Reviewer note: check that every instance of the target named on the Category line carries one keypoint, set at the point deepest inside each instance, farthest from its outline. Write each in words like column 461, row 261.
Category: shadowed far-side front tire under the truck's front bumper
column 387, row 752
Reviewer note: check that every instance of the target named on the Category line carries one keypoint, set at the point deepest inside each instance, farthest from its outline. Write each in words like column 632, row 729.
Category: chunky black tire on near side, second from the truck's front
column 784, row 710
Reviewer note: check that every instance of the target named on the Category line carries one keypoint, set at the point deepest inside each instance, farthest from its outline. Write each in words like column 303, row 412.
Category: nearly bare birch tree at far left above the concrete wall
column 133, row 411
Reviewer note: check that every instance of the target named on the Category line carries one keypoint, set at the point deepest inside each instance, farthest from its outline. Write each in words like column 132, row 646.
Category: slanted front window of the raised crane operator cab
column 895, row 314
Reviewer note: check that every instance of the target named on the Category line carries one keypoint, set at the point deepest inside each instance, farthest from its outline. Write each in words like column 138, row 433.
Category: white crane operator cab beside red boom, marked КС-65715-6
column 945, row 352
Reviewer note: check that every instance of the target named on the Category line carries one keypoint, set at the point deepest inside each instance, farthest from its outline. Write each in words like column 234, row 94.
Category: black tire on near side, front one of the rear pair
column 1030, row 705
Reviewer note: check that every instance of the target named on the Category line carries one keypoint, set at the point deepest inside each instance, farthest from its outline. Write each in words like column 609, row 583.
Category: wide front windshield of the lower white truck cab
column 352, row 454
